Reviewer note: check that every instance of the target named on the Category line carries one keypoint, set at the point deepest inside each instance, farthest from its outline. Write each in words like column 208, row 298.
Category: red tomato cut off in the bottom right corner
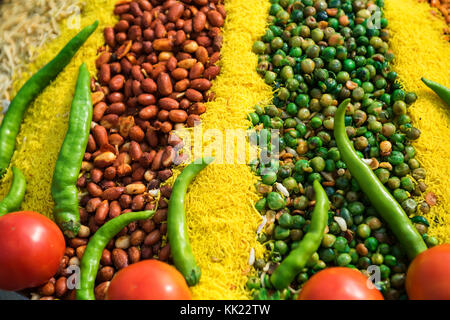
column 428, row 276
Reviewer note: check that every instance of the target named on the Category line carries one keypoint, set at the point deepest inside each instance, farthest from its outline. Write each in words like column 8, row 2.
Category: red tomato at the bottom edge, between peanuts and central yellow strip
column 148, row 280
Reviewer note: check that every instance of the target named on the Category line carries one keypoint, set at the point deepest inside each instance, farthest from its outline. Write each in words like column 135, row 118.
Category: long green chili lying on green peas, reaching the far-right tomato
column 377, row 193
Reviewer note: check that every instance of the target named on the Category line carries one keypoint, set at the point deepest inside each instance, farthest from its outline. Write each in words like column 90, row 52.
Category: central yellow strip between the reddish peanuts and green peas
column 220, row 213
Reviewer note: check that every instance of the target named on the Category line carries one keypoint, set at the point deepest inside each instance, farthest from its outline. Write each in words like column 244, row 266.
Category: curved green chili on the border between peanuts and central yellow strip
column 180, row 247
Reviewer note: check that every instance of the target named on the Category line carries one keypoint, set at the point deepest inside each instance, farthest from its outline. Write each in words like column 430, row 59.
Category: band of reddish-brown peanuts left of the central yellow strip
column 154, row 76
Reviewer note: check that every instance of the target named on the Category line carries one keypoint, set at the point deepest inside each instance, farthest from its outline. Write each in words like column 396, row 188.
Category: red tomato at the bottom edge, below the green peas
column 338, row 283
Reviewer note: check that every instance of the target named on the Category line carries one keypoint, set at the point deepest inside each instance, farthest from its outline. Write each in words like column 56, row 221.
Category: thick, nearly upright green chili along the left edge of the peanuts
column 68, row 165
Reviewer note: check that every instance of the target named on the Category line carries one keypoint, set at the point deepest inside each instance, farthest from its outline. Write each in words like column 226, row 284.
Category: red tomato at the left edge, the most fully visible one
column 31, row 248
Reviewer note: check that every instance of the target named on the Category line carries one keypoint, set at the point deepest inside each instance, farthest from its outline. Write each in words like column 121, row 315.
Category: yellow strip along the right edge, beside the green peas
column 421, row 51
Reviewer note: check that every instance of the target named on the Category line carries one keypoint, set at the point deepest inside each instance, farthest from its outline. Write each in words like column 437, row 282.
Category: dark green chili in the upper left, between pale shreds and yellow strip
column 10, row 126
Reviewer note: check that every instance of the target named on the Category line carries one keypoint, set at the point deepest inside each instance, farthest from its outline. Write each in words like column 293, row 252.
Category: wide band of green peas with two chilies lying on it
column 315, row 54
